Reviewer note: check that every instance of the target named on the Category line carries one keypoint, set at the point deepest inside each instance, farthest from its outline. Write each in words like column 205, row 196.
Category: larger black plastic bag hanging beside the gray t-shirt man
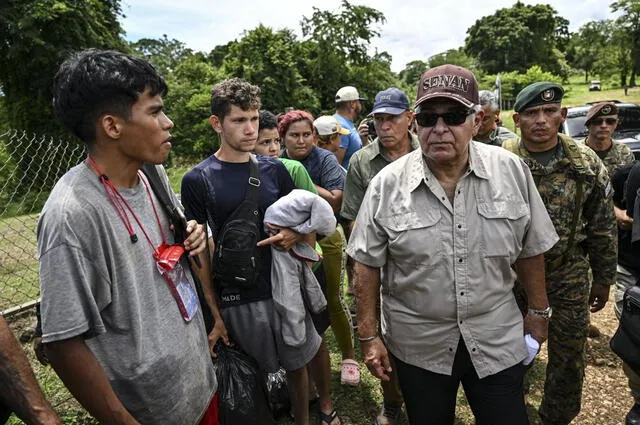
column 241, row 388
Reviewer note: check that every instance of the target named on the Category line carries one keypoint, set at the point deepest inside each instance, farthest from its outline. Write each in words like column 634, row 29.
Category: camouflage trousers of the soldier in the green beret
column 568, row 328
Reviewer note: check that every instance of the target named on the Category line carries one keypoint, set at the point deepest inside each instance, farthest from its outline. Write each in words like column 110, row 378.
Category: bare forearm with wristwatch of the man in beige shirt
column 531, row 274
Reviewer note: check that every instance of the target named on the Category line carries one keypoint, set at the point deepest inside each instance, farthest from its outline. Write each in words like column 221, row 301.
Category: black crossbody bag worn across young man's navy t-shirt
column 236, row 257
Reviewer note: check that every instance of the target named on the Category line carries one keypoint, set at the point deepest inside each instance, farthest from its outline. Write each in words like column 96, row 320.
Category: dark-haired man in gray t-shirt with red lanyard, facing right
column 128, row 342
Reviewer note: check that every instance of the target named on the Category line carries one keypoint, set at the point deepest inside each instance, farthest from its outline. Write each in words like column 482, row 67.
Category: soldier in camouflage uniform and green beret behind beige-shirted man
column 575, row 188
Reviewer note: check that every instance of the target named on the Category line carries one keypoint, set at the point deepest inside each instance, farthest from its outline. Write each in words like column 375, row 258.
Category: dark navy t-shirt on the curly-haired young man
column 213, row 201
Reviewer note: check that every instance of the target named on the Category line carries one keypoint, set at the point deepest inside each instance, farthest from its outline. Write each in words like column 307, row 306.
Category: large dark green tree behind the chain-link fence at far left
column 35, row 37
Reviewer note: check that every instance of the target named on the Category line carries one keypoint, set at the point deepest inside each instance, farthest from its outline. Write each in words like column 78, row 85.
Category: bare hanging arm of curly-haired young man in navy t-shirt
column 204, row 275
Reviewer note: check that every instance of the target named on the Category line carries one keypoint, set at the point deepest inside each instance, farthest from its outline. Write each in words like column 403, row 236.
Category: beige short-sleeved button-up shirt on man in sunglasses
column 446, row 269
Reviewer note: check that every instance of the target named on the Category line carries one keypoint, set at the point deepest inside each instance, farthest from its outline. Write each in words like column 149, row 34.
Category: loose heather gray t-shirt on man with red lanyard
column 96, row 283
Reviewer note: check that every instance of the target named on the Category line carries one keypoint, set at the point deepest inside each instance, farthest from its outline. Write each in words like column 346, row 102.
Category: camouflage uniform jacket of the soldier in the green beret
column 595, row 238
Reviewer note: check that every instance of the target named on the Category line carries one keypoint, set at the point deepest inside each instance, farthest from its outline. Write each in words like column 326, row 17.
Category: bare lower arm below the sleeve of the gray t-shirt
column 84, row 377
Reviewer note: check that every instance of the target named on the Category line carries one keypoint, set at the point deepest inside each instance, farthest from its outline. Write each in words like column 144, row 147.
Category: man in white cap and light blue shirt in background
column 348, row 107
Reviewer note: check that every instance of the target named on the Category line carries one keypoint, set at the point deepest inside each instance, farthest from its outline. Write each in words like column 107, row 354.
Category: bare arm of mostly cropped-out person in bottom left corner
column 18, row 386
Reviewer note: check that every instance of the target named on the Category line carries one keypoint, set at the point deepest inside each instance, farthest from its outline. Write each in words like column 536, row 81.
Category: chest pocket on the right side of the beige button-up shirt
column 502, row 227
